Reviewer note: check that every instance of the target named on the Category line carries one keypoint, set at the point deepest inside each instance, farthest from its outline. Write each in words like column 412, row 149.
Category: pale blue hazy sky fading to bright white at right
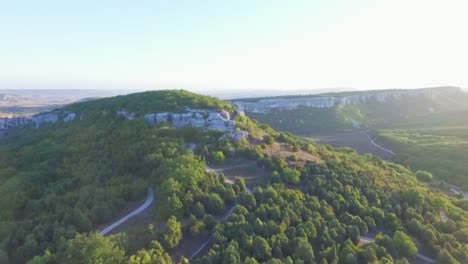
column 214, row 44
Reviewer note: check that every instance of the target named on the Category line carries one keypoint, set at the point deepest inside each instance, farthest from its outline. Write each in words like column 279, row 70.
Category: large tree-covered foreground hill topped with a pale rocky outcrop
column 65, row 179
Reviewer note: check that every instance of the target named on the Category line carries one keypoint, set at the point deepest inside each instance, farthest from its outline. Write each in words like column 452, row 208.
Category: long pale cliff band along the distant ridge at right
column 318, row 101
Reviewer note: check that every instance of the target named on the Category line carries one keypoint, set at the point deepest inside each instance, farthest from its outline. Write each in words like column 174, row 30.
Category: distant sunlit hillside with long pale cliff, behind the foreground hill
column 424, row 127
